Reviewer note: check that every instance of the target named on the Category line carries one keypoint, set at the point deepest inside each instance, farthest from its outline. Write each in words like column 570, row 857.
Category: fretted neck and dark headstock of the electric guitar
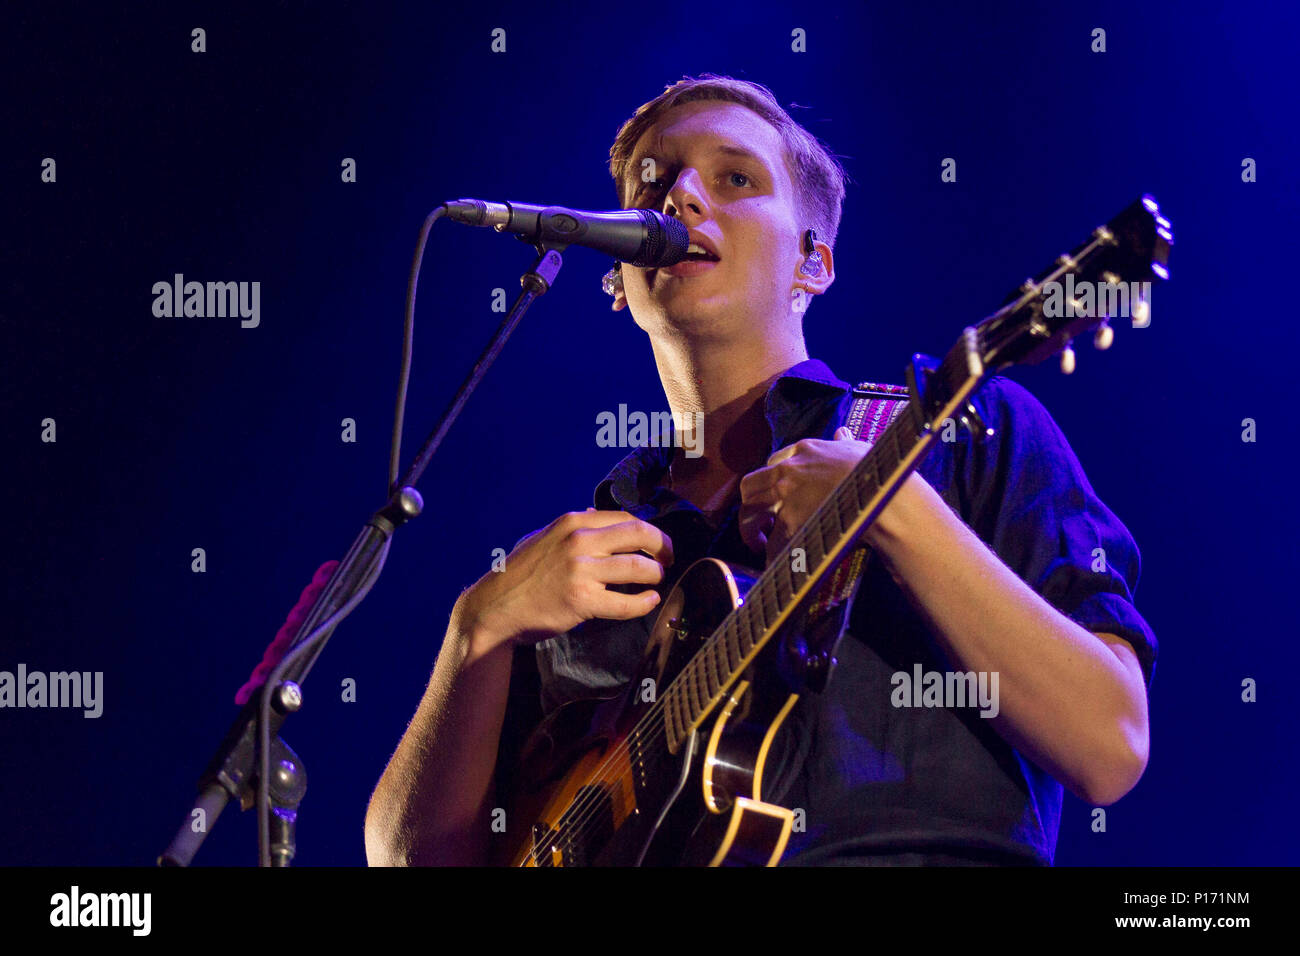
column 1133, row 248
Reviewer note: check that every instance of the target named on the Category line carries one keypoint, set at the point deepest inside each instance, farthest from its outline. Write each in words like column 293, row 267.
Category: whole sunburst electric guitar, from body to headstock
column 671, row 771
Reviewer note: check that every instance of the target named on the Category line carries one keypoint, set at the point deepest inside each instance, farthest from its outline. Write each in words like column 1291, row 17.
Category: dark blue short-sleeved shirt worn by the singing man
column 879, row 782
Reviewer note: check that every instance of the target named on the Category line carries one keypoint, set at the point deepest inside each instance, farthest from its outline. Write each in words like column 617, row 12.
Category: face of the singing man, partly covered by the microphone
column 720, row 168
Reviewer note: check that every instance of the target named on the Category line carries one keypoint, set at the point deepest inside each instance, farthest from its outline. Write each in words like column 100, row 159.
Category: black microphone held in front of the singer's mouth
column 639, row 237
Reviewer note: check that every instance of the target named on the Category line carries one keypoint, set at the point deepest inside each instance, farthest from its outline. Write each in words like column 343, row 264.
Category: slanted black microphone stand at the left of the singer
column 253, row 745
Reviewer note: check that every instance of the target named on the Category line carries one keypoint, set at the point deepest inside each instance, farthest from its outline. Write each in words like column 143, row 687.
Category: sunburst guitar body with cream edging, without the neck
column 606, row 789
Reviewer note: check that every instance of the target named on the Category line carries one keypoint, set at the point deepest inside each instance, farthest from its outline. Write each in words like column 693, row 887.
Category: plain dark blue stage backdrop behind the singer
column 197, row 434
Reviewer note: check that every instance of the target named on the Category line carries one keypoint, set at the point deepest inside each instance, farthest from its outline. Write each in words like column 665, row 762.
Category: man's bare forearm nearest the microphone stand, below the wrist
column 432, row 804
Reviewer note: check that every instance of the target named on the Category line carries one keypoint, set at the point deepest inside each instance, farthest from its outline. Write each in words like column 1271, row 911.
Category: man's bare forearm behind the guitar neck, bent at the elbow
column 1067, row 700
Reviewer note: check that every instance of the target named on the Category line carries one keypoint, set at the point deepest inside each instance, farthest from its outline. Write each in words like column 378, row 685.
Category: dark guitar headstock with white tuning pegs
column 1107, row 278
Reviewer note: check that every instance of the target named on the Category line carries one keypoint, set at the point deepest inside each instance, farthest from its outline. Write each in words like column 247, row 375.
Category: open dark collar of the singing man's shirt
column 792, row 405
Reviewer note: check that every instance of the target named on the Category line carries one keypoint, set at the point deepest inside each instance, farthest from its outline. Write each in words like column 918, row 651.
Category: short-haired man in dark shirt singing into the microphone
column 986, row 561
